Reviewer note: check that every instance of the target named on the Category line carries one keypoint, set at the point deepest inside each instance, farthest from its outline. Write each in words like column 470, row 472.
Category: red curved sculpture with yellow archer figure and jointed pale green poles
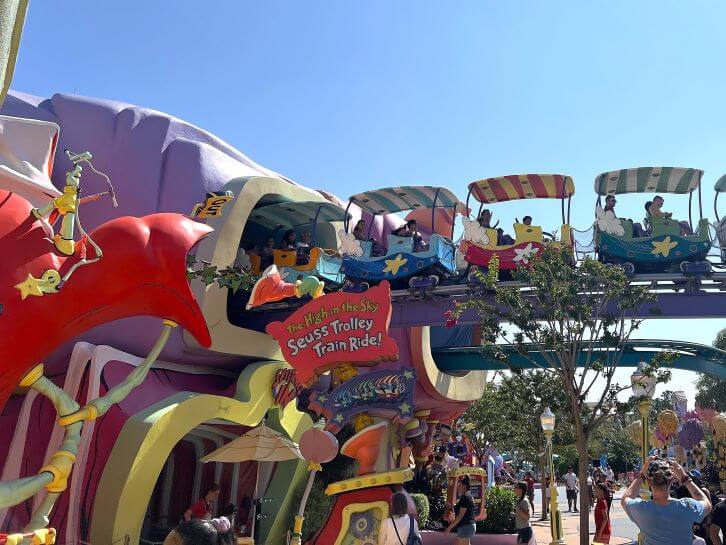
column 142, row 273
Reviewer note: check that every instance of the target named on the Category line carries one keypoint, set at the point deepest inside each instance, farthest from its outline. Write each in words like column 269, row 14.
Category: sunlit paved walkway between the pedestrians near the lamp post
column 623, row 530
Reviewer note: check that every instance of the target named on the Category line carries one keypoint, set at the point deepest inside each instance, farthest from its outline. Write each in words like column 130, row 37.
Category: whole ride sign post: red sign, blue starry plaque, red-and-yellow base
column 342, row 332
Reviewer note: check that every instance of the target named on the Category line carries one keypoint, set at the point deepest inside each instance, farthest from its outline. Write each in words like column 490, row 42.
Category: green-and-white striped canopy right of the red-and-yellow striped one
column 648, row 180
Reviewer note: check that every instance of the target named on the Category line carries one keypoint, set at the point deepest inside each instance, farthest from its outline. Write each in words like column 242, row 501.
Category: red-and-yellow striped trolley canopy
column 522, row 186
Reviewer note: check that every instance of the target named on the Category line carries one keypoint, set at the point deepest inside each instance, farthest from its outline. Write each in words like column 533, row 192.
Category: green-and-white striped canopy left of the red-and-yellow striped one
column 397, row 199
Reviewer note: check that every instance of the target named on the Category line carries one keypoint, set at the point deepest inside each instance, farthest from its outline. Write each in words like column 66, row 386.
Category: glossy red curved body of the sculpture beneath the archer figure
column 143, row 272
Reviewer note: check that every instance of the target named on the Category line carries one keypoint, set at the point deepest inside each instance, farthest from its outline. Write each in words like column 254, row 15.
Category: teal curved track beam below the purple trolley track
column 690, row 356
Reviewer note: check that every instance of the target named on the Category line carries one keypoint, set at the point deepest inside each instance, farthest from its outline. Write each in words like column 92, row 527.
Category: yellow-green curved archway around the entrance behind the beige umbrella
column 148, row 437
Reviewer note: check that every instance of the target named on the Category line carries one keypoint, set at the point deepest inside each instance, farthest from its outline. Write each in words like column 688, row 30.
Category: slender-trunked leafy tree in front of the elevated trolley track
column 573, row 321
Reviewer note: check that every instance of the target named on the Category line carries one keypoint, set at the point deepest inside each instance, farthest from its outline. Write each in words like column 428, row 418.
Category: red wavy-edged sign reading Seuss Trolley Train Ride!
column 337, row 328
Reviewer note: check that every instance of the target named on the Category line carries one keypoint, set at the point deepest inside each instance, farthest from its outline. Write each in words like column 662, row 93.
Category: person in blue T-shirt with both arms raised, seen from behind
column 664, row 520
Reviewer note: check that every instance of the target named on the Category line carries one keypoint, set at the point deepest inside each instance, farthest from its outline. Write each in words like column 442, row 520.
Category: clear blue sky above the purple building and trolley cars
column 347, row 96
